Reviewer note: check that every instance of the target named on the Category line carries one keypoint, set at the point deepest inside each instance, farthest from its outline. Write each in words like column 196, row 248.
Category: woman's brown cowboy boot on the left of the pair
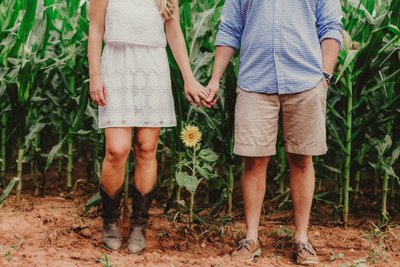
column 110, row 213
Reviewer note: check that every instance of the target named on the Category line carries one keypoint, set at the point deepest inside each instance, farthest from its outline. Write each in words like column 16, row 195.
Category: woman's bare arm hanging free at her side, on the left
column 98, row 91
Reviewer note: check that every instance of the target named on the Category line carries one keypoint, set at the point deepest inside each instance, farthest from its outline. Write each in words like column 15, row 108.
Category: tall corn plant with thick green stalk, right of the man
column 357, row 79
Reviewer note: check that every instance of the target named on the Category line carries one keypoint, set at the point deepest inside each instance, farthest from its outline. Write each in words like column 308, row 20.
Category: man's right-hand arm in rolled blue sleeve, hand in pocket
column 329, row 24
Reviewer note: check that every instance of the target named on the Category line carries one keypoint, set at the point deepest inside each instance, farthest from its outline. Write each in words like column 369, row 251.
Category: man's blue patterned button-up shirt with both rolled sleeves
column 280, row 41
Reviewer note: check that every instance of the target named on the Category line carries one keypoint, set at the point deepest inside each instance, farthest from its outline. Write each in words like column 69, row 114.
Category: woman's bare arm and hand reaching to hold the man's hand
column 193, row 89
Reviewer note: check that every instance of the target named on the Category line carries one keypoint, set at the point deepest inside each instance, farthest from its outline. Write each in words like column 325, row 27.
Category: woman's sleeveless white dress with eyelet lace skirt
column 134, row 67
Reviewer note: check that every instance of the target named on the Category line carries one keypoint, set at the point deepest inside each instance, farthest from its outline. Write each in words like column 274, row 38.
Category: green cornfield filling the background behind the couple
column 48, row 123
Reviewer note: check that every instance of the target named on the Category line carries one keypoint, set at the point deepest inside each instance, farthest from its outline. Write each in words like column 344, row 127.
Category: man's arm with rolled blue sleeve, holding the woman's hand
column 228, row 40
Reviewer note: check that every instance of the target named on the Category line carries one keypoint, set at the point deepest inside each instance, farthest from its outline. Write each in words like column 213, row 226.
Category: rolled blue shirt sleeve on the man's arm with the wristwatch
column 329, row 20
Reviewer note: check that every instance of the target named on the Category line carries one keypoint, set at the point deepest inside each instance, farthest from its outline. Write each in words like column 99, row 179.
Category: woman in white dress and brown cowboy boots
column 130, row 82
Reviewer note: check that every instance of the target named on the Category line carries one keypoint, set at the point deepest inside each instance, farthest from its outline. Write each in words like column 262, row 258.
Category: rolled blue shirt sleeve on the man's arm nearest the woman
column 231, row 28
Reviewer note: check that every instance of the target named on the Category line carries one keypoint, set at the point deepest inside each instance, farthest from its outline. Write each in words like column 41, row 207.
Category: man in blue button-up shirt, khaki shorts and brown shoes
column 288, row 50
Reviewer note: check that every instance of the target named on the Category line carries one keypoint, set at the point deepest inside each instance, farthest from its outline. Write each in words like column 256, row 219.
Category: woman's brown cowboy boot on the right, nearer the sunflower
column 140, row 217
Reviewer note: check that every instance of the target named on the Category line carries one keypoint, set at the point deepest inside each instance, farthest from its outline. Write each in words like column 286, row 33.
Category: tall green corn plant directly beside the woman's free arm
column 71, row 72
